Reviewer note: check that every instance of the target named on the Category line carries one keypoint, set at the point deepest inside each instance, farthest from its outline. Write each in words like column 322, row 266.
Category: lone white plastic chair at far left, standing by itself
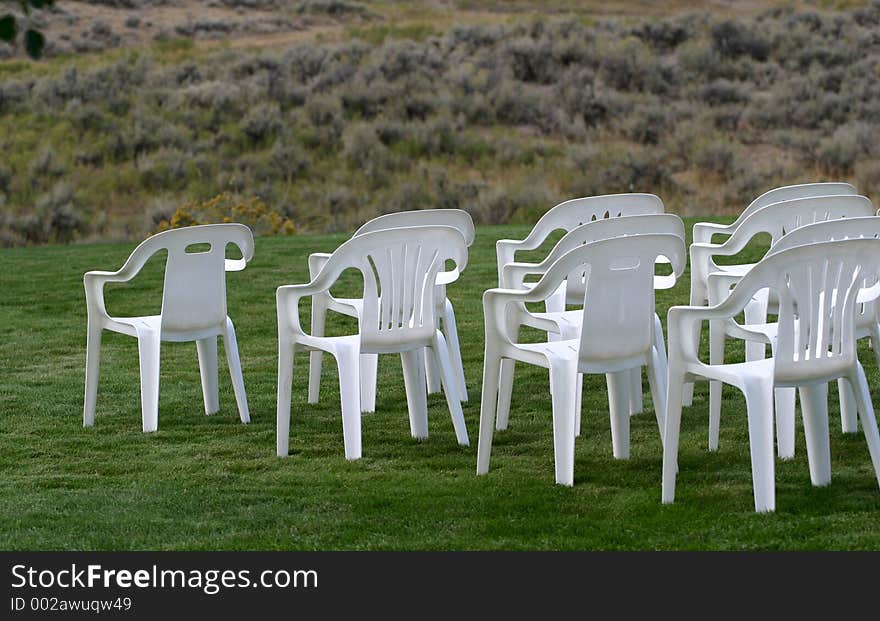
column 193, row 309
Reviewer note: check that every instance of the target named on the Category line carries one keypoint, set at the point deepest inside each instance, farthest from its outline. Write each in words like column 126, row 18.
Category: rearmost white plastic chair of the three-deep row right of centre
column 567, row 216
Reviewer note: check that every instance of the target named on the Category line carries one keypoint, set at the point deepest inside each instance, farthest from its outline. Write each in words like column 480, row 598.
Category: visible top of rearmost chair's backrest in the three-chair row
column 579, row 211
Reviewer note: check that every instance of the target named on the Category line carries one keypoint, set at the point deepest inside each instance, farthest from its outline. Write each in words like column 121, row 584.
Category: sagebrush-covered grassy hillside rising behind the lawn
column 503, row 109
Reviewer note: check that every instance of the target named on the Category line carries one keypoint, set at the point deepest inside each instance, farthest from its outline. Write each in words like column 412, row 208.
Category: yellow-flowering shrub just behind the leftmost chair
column 227, row 208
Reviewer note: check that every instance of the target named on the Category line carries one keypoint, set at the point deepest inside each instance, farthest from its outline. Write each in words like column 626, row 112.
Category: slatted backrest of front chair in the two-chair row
column 399, row 268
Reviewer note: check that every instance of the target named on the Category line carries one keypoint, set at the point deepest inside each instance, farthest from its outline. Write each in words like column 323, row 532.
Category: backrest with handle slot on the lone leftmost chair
column 194, row 293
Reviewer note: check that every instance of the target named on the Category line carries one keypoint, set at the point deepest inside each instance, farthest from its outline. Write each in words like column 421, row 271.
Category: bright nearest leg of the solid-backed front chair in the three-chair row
column 563, row 375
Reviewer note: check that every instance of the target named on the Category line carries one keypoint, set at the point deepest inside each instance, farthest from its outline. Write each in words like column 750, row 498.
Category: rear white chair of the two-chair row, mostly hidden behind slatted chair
column 352, row 307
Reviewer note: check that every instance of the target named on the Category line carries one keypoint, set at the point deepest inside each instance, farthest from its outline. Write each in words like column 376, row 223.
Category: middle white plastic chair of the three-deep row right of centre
column 566, row 324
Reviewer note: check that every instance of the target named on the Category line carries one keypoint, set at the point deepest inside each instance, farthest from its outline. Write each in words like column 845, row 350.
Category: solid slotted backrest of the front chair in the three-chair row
column 618, row 319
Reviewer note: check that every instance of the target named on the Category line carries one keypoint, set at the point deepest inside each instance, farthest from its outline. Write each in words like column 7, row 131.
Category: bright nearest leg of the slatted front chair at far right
column 759, row 406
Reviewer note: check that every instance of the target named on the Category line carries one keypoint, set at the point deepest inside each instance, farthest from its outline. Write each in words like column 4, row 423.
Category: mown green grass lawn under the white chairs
column 212, row 483
